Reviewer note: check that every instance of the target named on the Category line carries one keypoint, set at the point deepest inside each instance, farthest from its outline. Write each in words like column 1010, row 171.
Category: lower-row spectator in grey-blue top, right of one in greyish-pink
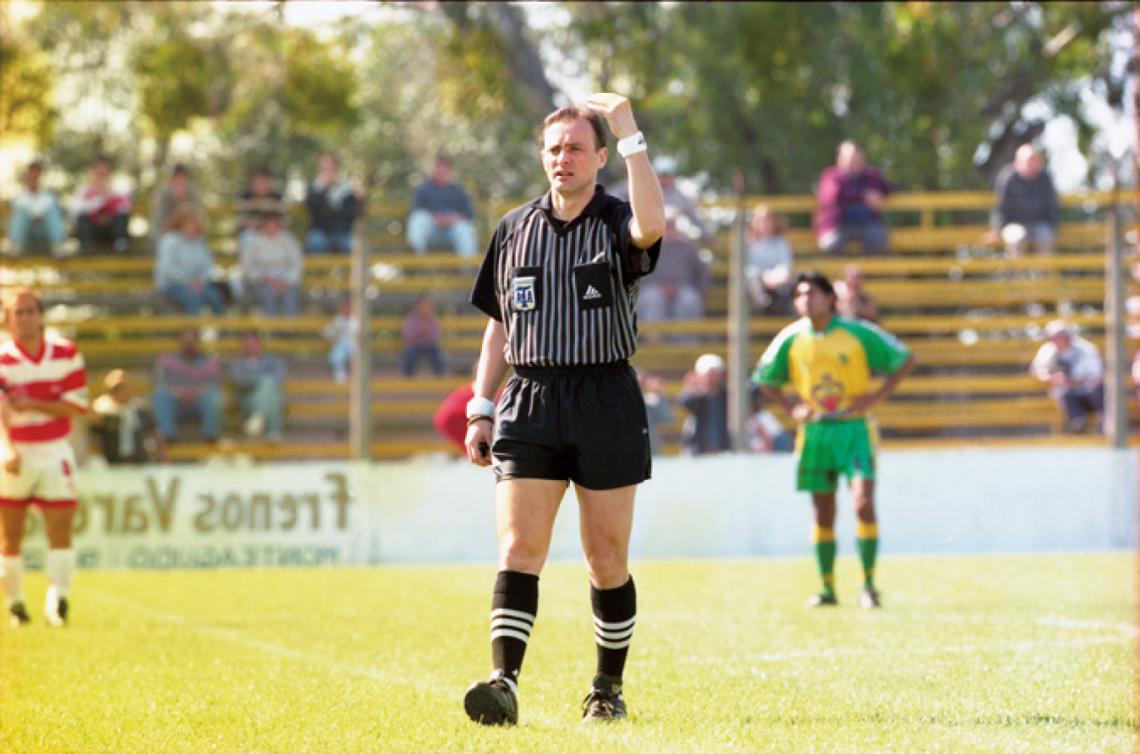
column 259, row 382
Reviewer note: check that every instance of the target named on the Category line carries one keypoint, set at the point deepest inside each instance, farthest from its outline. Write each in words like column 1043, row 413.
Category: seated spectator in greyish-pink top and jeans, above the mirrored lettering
column 188, row 386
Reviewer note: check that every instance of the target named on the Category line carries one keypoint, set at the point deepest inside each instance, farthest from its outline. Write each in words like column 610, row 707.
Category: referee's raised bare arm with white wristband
column 646, row 198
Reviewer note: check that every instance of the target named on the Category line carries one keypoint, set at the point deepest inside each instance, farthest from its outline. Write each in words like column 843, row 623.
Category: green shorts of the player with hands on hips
column 828, row 450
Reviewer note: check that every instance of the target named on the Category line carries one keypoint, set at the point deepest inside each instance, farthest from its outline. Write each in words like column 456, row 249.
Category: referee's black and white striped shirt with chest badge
column 566, row 293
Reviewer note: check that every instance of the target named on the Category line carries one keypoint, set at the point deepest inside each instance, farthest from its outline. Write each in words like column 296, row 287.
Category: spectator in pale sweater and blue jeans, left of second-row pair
column 185, row 263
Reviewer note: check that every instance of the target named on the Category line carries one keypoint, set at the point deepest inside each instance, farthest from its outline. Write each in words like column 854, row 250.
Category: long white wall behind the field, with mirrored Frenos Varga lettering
column 965, row 501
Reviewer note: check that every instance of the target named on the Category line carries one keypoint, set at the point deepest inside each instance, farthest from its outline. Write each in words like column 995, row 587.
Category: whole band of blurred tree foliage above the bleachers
column 939, row 94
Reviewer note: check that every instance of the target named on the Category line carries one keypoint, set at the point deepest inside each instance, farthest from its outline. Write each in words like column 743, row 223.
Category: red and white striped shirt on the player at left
column 56, row 374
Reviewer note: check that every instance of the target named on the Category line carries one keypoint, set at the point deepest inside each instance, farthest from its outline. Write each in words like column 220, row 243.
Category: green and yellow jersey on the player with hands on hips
column 830, row 367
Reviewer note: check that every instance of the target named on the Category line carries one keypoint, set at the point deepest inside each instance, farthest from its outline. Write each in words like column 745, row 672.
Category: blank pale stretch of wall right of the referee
column 929, row 502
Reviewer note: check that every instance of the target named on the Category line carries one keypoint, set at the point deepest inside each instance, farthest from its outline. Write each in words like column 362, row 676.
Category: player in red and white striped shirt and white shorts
column 44, row 385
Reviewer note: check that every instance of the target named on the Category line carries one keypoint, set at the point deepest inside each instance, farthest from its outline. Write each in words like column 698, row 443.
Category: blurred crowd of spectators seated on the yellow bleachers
column 188, row 386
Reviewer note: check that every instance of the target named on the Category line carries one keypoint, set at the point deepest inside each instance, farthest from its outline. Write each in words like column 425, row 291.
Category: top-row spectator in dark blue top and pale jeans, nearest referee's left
column 443, row 216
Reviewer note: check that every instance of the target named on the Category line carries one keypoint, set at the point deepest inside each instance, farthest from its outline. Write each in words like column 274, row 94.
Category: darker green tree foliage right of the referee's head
column 939, row 94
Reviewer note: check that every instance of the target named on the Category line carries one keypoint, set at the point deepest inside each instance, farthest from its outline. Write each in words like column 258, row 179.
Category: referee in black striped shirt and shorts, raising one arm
column 560, row 286
